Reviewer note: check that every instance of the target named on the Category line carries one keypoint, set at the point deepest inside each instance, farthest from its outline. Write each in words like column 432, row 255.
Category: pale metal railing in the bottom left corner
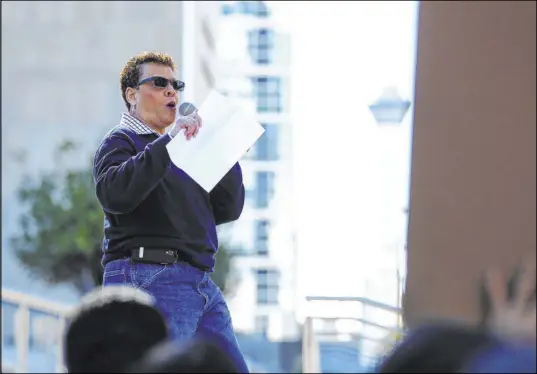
column 52, row 321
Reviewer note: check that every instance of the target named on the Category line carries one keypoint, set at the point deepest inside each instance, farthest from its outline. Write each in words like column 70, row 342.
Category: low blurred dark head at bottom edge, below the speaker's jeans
column 199, row 355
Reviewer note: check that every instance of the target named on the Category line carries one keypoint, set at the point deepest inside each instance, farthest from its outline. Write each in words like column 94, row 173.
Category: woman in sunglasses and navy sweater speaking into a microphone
column 160, row 225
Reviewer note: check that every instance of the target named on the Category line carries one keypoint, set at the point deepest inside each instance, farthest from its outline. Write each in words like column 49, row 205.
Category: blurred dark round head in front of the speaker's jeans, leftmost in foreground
column 111, row 328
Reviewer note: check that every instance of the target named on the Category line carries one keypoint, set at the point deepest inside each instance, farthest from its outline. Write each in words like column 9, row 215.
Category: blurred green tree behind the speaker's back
column 62, row 228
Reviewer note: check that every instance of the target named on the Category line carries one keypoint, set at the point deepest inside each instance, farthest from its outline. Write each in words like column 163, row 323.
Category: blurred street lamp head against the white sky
column 389, row 108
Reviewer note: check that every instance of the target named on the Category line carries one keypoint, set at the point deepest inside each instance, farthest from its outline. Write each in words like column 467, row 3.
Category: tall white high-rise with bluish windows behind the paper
column 254, row 69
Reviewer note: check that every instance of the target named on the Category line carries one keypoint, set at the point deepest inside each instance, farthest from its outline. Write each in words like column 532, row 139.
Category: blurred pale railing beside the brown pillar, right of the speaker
column 311, row 348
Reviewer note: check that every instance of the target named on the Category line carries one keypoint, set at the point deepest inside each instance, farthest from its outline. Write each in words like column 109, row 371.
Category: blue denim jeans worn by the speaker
column 191, row 303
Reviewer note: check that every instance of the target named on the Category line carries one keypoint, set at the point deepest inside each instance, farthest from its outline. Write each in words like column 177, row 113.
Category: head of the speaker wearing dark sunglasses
column 150, row 89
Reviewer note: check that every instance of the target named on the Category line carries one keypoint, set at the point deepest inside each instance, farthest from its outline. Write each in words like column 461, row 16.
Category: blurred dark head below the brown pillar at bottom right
column 438, row 348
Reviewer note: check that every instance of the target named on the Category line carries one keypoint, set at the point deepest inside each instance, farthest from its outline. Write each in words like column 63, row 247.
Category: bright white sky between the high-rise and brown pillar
column 348, row 172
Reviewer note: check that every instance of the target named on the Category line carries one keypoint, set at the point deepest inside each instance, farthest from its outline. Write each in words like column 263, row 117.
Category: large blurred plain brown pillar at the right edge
column 472, row 199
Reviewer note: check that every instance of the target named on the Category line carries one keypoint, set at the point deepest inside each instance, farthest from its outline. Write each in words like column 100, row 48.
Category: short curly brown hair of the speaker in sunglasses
column 130, row 75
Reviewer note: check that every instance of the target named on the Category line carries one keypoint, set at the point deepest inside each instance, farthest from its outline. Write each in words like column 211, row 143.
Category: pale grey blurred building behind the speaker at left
column 60, row 77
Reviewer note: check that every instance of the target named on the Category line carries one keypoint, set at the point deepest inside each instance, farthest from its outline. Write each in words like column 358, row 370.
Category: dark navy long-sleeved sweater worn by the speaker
column 149, row 202
